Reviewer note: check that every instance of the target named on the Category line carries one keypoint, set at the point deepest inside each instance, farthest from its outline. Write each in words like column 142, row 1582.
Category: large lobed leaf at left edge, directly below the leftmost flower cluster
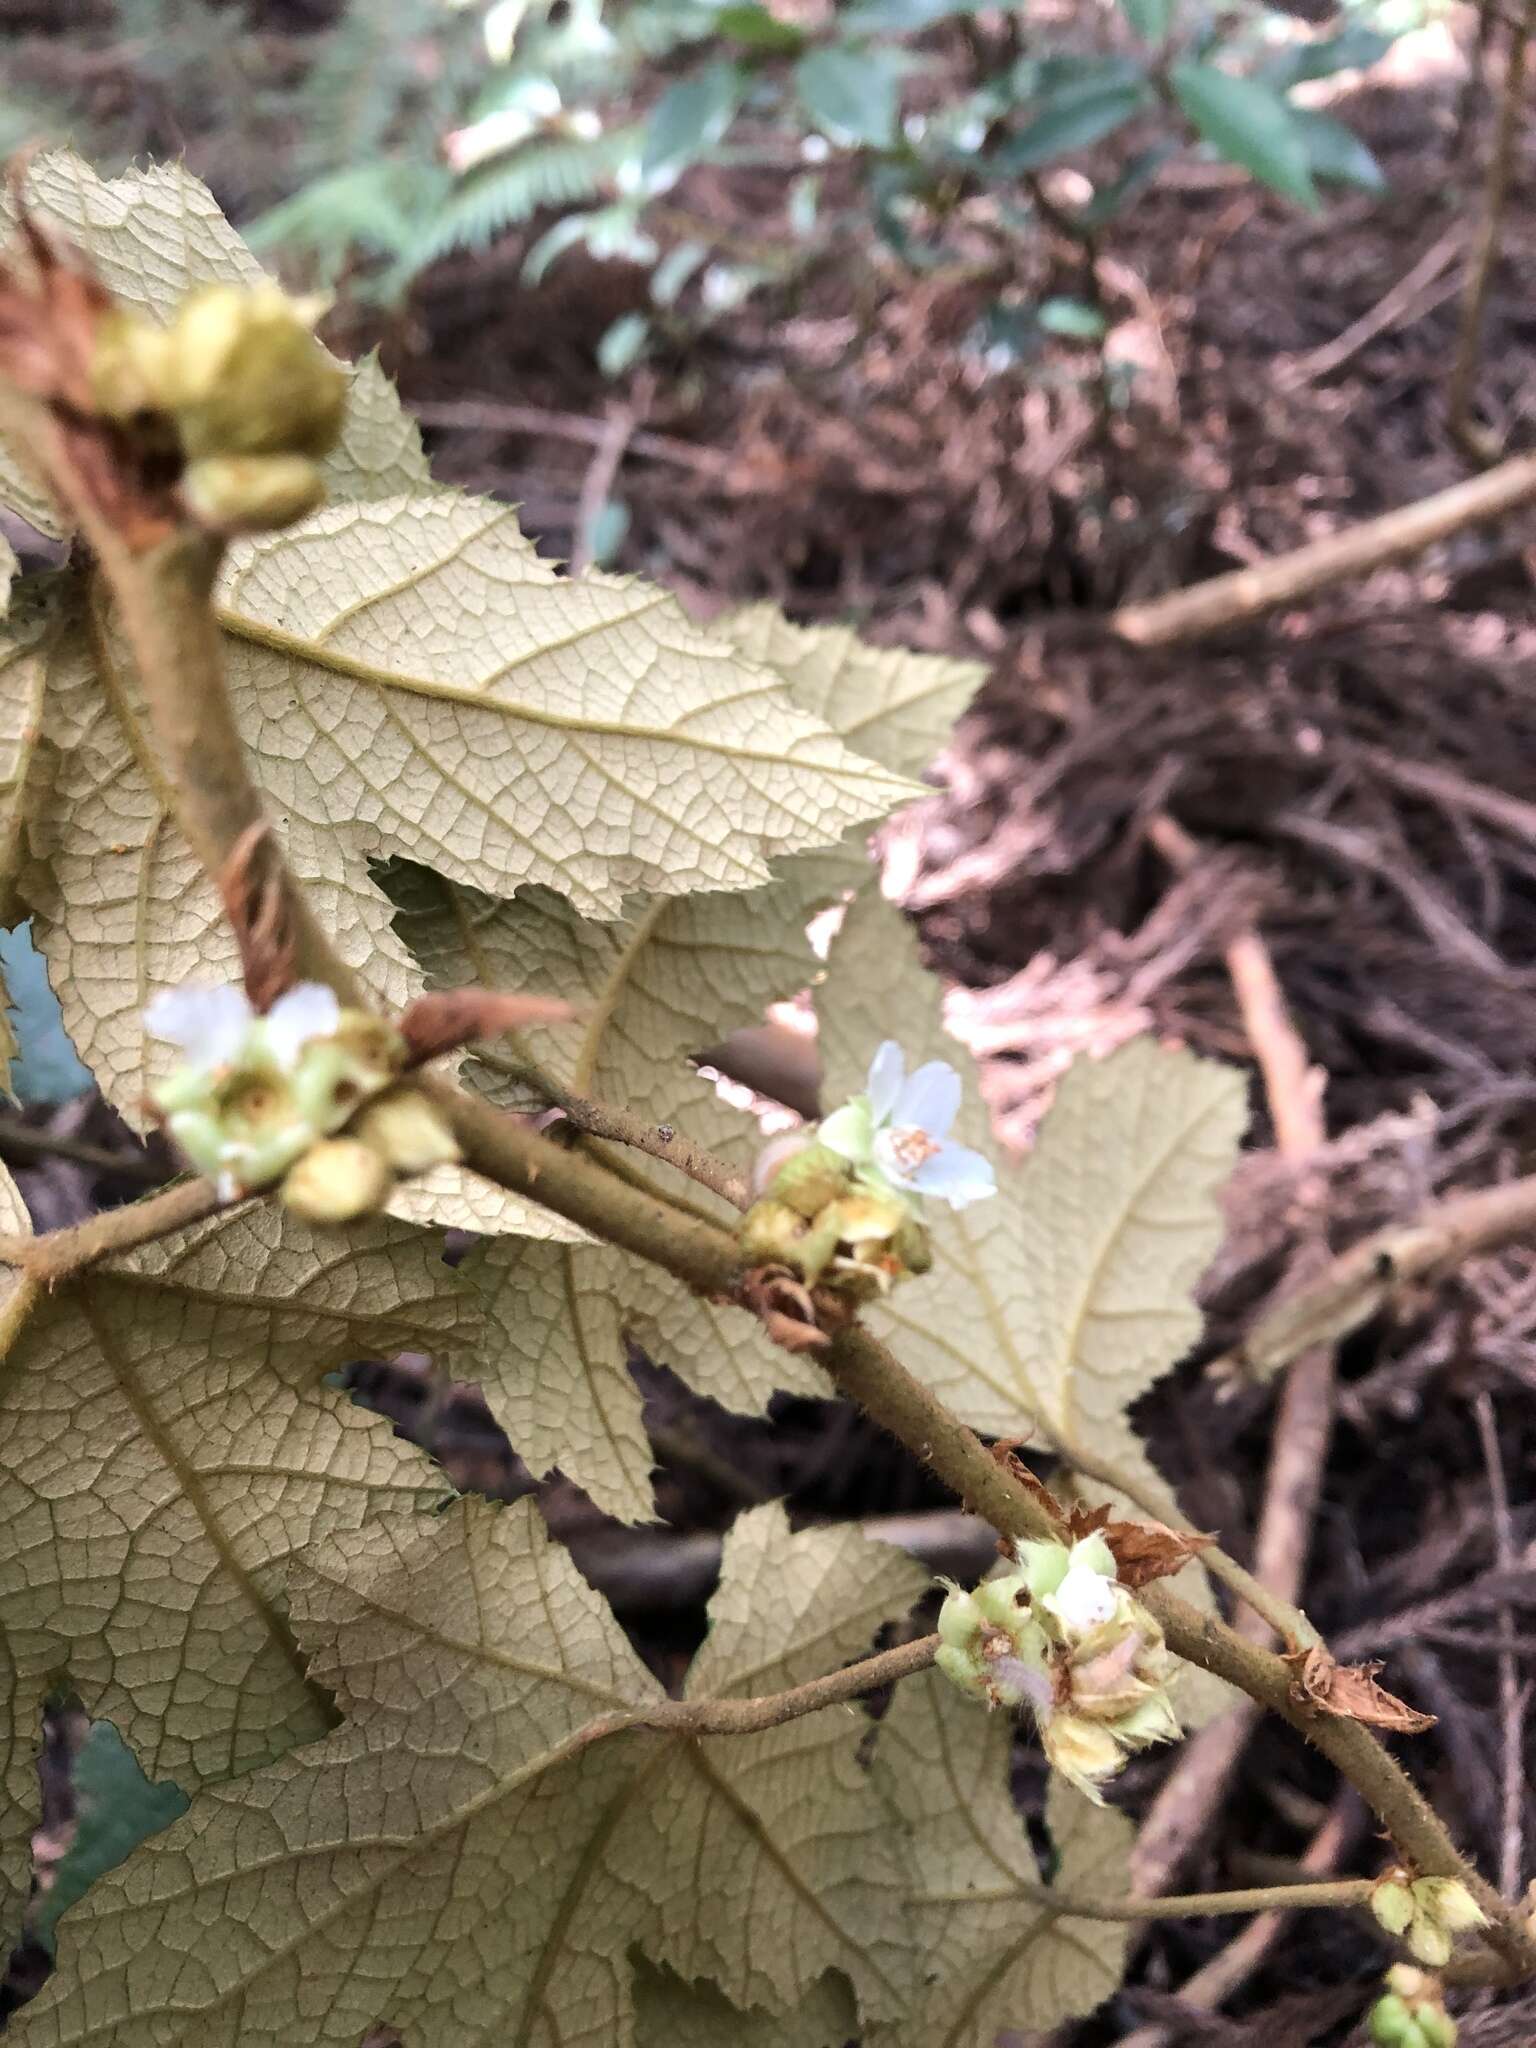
column 165, row 1449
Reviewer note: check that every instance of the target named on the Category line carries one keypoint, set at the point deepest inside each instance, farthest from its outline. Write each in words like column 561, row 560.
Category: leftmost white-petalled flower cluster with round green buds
column 259, row 1099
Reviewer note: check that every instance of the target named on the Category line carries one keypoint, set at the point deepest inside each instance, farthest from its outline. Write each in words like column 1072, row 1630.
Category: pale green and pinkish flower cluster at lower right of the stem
column 1064, row 1637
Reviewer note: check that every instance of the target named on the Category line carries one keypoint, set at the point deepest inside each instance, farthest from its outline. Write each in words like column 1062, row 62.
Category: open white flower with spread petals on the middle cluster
column 900, row 1127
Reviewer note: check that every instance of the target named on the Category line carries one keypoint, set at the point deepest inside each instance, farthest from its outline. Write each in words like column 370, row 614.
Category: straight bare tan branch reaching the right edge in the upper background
column 1230, row 601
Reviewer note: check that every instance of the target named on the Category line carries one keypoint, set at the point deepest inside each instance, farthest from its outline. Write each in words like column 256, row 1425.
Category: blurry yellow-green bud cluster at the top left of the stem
column 239, row 388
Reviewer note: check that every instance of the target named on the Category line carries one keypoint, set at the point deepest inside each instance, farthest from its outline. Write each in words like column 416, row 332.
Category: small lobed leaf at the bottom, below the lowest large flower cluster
column 990, row 1955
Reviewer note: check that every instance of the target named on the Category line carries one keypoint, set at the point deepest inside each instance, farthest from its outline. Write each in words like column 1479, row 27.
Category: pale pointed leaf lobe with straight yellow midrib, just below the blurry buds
column 419, row 681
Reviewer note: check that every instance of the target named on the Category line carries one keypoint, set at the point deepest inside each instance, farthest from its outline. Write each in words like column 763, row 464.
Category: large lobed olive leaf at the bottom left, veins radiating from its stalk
column 472, row 1852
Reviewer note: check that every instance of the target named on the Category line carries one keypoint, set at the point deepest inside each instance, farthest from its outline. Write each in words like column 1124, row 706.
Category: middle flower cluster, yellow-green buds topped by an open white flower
column 843, row 1203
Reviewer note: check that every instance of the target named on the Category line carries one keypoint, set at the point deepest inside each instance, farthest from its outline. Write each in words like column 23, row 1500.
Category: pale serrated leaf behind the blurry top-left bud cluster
column 151, row 237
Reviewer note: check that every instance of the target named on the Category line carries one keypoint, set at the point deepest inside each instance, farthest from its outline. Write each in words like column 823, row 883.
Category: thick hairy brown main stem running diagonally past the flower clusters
column 167, row 615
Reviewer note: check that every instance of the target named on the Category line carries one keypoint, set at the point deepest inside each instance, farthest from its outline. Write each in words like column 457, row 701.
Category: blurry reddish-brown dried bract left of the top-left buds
column 50, row 314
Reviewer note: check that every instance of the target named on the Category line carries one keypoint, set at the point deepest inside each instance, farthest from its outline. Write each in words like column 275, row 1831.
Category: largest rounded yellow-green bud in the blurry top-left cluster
column 249, row 378
